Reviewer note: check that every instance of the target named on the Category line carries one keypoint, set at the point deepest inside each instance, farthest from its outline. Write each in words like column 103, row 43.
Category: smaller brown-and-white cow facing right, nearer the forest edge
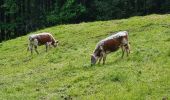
column 36, row 40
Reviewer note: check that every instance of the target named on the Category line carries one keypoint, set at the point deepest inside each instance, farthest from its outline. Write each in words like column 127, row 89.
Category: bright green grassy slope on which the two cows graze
column 65, row 71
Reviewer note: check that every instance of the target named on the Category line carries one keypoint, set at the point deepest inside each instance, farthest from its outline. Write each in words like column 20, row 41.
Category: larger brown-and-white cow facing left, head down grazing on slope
column 111, row 44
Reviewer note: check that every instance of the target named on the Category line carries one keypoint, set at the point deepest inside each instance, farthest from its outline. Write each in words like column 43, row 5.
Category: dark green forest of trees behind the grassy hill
column 19, row 17
